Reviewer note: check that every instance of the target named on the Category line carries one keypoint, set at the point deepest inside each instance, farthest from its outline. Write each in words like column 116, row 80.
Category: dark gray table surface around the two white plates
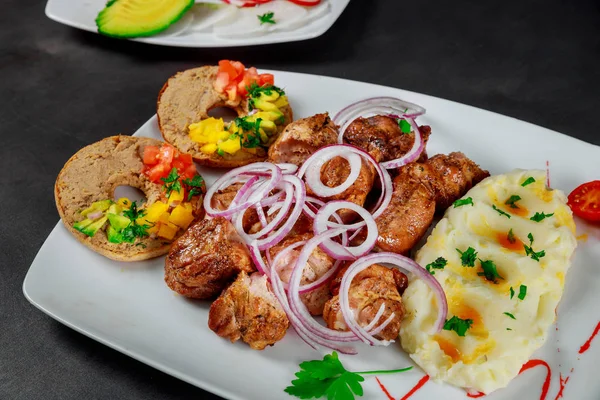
column 61, row 88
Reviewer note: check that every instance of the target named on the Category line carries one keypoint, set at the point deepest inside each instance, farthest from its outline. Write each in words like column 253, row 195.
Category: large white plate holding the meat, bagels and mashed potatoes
column 127, row 306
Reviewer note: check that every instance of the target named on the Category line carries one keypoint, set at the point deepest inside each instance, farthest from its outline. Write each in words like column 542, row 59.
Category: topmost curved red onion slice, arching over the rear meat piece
column 375, row 106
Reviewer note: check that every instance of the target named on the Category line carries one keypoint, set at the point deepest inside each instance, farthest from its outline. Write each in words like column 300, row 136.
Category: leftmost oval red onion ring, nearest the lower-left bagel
column 258, row 194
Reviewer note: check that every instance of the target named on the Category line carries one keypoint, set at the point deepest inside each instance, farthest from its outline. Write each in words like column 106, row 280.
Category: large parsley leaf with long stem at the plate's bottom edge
column 328, row 378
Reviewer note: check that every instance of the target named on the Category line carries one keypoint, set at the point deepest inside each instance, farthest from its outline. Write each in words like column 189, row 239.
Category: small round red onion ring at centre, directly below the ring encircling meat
column 336, row 250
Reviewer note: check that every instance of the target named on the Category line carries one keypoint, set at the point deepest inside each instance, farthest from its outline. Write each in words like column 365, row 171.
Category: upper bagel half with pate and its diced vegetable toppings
column 186, row 98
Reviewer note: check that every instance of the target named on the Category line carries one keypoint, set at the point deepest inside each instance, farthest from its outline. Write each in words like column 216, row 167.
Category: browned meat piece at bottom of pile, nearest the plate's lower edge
column 248, row 310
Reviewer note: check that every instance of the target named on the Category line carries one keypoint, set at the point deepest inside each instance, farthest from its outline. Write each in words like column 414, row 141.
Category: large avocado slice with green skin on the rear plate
column 134, row 18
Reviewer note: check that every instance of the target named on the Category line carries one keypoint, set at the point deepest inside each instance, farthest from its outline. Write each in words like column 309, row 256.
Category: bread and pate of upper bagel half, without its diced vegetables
column 187, row 97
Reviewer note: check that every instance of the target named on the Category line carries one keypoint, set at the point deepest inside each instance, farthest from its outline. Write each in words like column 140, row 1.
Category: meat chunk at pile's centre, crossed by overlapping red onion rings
column 318, row 264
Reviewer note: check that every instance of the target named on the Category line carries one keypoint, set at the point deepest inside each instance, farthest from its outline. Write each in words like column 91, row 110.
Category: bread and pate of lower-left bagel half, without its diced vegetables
column 92, row 174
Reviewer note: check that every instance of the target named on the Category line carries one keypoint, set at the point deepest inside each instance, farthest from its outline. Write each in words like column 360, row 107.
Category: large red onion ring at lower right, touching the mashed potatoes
column 398, row 261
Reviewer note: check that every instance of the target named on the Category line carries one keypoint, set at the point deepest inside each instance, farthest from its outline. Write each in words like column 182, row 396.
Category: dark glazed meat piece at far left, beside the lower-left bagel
column 206, row 258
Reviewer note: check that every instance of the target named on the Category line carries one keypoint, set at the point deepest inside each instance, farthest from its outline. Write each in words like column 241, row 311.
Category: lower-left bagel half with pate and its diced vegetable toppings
column 123, row 229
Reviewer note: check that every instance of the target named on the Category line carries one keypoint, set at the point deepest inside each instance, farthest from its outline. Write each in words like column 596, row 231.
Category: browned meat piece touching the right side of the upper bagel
column 303, row 137
